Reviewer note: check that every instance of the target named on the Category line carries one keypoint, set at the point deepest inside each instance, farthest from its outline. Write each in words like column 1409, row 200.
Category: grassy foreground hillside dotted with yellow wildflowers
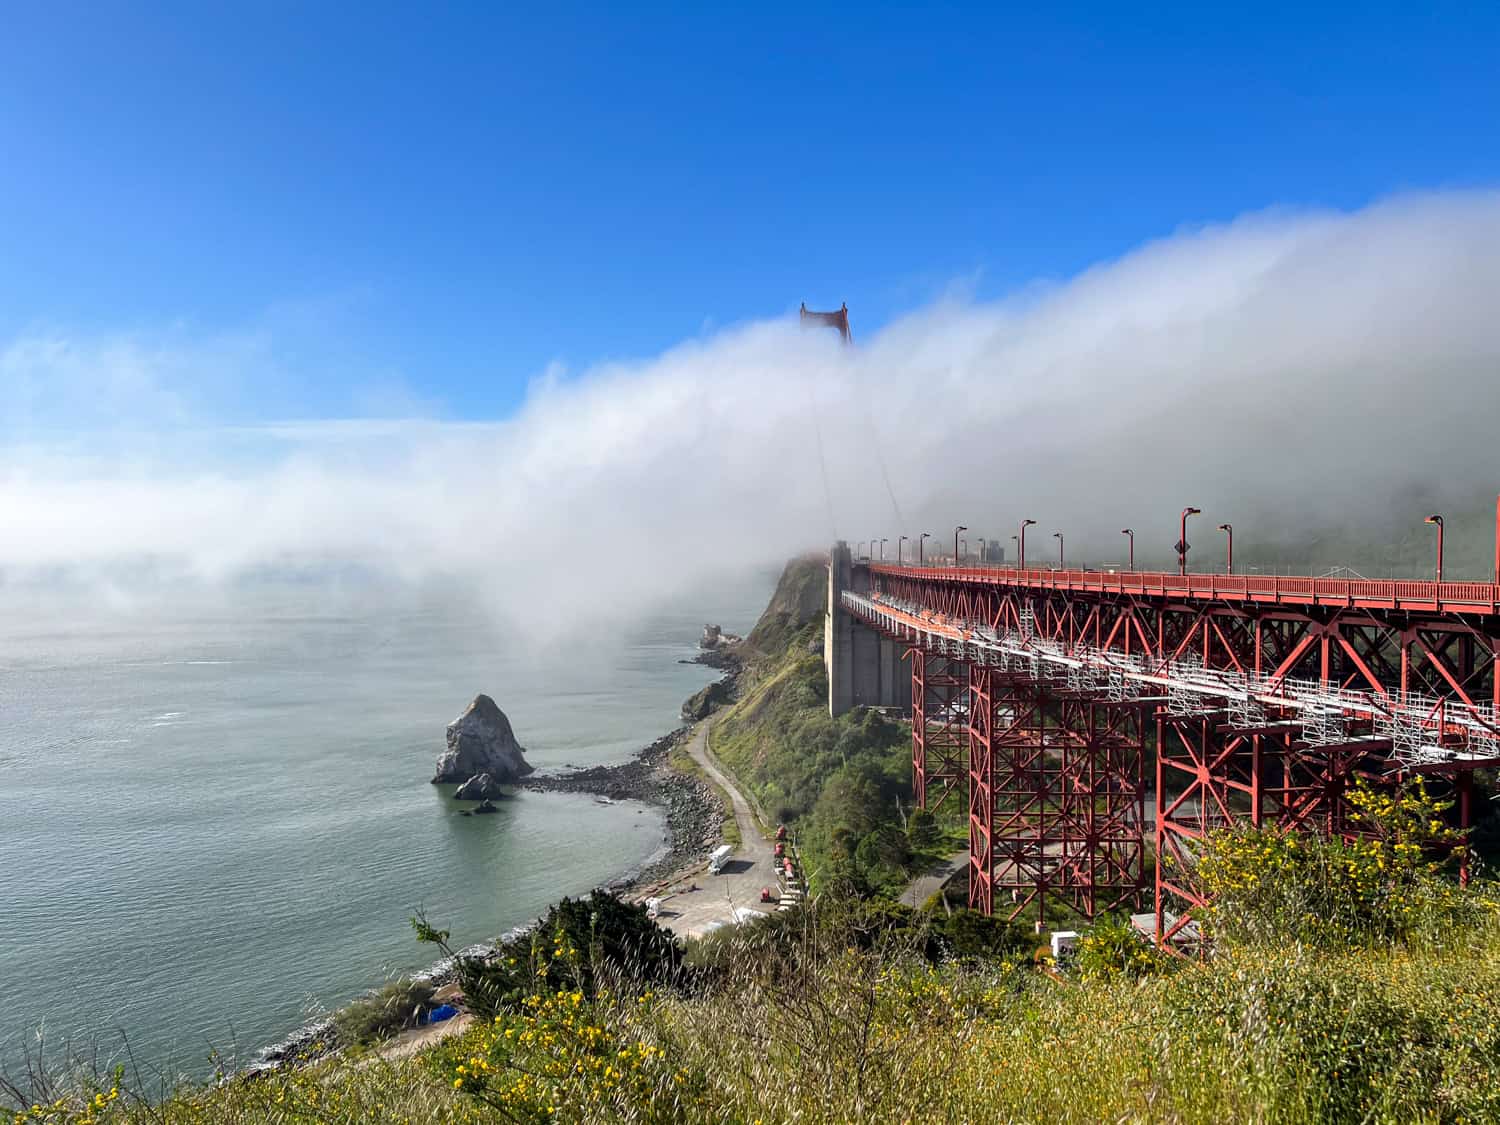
column 817, row 1021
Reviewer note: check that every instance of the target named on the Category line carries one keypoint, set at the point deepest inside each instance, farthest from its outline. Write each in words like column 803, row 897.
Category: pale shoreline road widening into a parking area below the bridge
column 700, row 899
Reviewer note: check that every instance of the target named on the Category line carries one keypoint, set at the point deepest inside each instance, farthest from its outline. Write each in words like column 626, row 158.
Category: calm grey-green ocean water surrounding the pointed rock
column 215, row 817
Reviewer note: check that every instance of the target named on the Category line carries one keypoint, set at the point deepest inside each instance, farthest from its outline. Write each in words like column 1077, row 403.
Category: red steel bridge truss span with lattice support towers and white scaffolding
column 1270, row 697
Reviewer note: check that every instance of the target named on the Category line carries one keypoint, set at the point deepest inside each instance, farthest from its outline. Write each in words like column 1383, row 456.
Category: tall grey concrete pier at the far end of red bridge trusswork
column 865, row 668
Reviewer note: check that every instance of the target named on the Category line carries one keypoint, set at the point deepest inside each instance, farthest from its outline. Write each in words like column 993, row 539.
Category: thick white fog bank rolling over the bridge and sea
column 1292, row 373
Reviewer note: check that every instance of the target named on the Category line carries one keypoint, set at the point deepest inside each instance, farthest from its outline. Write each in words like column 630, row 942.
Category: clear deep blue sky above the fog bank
column 442, row 203
